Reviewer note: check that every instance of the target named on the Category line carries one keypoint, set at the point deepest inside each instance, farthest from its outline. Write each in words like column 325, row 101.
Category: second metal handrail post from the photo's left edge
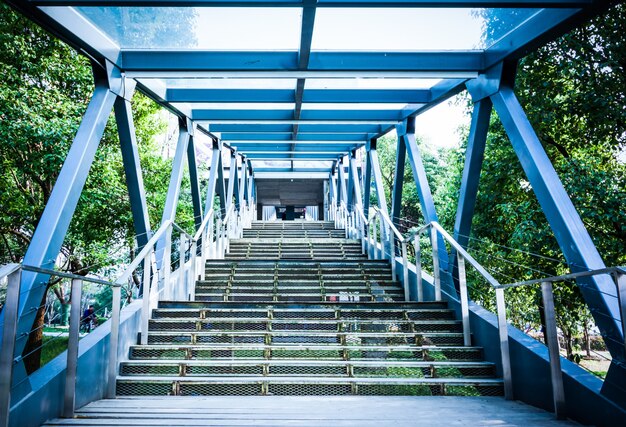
column 72, row 350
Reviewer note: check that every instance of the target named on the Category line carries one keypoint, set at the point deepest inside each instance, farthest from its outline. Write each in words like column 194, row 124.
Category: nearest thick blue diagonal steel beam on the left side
column 52, row 227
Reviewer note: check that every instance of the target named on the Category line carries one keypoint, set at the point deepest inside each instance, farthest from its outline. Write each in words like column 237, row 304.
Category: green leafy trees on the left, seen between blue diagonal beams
column 44, row 92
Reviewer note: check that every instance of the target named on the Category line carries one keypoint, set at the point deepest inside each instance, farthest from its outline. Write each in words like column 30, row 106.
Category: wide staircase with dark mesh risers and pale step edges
column 297, row 309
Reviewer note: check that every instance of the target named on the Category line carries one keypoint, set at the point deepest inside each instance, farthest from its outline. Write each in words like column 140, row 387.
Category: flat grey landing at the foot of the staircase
column 310, row 411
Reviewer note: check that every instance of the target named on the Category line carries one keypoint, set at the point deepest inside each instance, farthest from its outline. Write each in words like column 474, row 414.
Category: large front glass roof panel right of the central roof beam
column 413, row 29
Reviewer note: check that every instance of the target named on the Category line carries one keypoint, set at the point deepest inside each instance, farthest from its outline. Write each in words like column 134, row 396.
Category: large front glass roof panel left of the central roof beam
column 224, row 28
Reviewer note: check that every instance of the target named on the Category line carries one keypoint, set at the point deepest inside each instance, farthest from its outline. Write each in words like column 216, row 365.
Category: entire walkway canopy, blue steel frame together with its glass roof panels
column 302, row 107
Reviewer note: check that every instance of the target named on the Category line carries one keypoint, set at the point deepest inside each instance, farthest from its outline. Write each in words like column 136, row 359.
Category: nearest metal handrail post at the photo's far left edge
column 9, row 331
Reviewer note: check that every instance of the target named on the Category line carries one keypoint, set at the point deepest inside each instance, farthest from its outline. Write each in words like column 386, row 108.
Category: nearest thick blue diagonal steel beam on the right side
column 569, row 230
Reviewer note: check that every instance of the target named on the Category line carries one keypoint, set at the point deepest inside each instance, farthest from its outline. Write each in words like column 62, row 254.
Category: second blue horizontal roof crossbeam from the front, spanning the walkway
column 417, row 96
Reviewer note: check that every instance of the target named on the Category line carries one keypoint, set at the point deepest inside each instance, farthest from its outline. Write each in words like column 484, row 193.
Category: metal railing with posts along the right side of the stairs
column 377, row 235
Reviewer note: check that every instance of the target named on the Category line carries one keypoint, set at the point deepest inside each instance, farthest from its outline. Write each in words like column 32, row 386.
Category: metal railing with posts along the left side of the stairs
column 159, row 282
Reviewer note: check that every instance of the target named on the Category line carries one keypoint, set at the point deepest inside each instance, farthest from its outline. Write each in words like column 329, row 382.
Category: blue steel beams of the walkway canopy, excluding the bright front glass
column 272, row 124
